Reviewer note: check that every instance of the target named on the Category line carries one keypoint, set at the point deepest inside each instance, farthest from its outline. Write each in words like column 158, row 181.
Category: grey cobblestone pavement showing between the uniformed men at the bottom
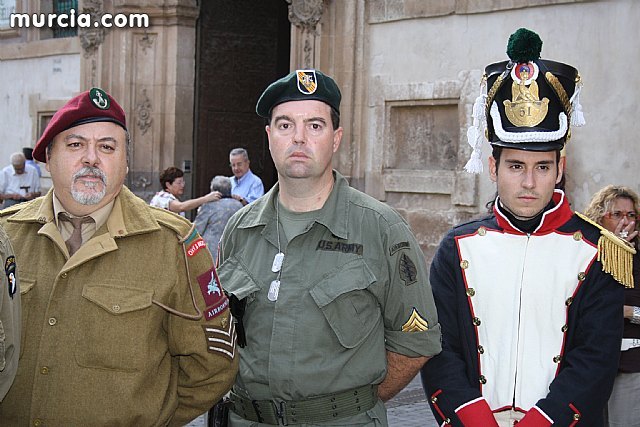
column 408, row 409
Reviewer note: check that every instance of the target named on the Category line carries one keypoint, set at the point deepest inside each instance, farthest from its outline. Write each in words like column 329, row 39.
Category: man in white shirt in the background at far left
column 19, row 182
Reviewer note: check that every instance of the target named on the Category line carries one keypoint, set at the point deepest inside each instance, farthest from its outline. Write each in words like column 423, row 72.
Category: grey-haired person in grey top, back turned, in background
column 213, row 216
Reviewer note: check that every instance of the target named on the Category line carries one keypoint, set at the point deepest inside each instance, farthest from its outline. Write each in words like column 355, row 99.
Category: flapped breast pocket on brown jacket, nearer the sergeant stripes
column 117, row 327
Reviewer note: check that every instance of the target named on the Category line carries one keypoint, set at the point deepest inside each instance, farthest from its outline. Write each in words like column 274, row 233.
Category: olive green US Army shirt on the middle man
column 353, row 285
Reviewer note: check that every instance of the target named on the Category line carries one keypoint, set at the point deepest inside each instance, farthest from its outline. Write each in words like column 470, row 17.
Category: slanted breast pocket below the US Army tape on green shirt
column 346, row 303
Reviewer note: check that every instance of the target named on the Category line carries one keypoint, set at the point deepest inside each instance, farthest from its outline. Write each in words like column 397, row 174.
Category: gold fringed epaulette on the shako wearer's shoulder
column 615, row 254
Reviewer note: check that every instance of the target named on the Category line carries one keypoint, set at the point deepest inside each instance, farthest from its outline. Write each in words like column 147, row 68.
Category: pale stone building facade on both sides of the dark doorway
column 409, row 71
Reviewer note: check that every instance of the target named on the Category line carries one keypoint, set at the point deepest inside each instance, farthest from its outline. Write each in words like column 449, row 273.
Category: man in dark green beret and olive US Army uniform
column 335, row 302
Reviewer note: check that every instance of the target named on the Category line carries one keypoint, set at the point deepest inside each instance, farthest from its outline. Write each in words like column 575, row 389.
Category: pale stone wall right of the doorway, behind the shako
column 411, row 71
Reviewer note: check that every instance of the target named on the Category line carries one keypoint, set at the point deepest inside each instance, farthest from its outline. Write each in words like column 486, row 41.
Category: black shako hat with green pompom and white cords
column 530, row 103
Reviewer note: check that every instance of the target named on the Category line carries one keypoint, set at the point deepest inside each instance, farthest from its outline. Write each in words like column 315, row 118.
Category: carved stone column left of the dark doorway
column 151, row 72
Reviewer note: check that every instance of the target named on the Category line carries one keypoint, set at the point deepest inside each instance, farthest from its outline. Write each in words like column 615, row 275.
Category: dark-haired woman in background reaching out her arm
column 172, row 182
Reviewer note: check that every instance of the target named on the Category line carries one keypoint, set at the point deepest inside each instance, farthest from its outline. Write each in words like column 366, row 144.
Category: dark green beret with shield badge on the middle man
column 299, row 86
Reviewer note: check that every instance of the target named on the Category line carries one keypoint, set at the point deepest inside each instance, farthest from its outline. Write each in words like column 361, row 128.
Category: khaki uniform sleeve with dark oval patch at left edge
column 9, row 315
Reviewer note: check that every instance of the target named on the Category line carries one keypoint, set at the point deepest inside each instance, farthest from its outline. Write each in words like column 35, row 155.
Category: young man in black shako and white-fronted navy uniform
column 528, row 299
